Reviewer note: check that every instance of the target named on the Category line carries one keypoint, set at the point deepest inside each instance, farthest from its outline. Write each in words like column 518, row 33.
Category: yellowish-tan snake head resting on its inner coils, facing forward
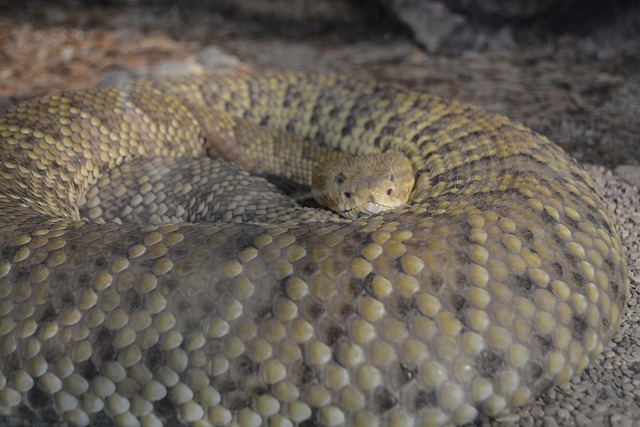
column 363, row 185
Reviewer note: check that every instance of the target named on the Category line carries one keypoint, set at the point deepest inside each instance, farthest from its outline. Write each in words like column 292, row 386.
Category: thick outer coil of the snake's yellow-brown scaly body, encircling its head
column 501, row 277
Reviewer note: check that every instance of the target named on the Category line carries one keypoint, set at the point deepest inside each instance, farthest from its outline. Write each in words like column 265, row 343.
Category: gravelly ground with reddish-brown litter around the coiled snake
column 581, row 88
